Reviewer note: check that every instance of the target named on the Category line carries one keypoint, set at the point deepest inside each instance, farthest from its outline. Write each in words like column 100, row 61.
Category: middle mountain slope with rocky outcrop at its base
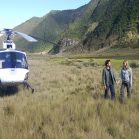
column 76, row 29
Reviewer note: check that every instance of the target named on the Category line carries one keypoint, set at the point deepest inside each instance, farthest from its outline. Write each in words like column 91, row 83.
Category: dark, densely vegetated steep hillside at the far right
column 117, row 25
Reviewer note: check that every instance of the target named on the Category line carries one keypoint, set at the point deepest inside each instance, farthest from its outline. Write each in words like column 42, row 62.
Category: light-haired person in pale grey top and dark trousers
column 126, row 77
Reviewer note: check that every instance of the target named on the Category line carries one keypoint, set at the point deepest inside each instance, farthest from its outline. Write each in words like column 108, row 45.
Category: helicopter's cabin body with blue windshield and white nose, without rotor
column 13, row 67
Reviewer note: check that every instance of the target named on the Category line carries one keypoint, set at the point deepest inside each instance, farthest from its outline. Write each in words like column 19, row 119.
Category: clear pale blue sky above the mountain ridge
column 15, row 12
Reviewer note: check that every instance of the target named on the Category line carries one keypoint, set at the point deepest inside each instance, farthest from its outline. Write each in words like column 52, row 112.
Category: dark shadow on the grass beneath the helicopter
column 8, row 91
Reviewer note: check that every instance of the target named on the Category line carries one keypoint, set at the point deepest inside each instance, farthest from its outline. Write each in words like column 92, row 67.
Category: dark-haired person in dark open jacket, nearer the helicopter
column 108, row 80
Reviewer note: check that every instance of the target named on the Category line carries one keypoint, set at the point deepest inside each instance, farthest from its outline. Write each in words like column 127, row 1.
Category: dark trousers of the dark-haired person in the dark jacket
column 112, row 90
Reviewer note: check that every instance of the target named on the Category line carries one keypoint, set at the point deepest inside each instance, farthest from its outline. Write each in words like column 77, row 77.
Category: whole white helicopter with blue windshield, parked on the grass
column 13, row 63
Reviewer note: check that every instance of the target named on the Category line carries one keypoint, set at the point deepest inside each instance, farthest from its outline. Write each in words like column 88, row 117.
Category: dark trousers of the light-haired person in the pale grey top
column 128, row 87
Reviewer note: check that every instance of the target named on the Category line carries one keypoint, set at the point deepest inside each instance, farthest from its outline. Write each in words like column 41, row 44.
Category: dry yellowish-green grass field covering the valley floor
column 68, row 102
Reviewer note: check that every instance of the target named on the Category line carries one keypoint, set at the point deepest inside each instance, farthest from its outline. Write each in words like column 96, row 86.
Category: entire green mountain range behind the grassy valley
column 98, row 24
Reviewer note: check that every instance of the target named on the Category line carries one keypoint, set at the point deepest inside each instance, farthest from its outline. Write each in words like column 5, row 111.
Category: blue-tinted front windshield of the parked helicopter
column 13, row 60
